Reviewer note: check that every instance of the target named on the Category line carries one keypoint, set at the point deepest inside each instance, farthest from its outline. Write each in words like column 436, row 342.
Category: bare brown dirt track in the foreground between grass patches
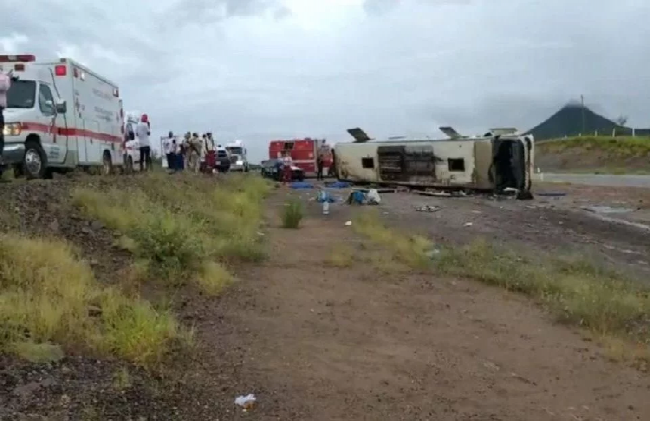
column 354, row 343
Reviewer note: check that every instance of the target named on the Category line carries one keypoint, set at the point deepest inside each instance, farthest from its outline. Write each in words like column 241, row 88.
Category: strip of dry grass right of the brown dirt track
column 614, row 309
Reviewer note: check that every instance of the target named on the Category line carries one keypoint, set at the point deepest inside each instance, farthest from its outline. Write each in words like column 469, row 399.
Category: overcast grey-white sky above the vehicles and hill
column 263, row 69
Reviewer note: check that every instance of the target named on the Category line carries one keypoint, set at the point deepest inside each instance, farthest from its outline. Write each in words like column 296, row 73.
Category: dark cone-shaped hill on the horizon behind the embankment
column 568, row 122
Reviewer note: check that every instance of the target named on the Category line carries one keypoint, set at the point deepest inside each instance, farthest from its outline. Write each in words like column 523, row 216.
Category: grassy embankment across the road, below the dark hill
column 596, row 154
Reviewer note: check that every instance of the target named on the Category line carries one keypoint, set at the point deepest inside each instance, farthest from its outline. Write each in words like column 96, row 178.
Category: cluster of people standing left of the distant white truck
column 187, row 152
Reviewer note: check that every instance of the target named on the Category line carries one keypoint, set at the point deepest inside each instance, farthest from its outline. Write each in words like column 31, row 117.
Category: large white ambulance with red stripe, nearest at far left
column 59, row 116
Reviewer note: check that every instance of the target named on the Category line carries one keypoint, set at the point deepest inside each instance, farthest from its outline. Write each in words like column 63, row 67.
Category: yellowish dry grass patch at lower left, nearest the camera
column 50, row 303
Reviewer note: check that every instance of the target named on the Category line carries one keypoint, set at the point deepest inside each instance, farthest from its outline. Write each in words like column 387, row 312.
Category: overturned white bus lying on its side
column 495, row 161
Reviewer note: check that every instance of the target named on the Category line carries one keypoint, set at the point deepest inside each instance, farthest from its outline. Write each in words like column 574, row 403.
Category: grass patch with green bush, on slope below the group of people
column 186, row 227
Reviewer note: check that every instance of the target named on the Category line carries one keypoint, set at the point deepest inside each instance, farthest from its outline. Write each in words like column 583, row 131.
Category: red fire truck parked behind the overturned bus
column 303, row 153
